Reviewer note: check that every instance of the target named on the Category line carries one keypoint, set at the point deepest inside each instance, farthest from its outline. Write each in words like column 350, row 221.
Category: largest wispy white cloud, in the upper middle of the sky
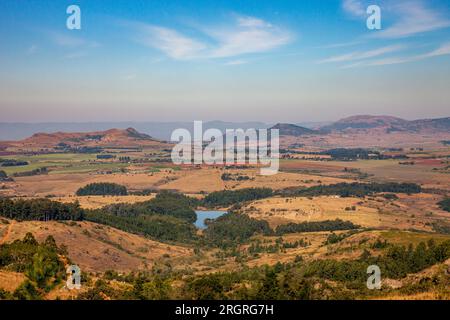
column 244, row 36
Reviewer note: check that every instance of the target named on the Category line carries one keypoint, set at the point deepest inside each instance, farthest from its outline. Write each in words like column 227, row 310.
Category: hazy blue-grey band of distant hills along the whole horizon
column 163, row 130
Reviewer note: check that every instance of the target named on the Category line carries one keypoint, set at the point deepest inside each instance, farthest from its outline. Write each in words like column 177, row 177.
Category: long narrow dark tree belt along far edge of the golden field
column 355, row 189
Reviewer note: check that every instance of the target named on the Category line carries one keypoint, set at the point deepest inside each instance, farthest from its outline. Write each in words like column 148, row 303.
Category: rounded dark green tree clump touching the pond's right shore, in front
column 231, row 229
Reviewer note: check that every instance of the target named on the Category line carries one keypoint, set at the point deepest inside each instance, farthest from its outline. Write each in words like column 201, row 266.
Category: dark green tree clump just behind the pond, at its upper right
column 231, row 197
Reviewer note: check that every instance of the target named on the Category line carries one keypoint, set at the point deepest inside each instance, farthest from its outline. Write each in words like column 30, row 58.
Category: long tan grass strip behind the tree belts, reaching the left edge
column 187, row 180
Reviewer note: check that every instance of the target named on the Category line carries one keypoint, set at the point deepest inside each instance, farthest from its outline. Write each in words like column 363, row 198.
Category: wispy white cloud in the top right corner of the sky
column 414, row 18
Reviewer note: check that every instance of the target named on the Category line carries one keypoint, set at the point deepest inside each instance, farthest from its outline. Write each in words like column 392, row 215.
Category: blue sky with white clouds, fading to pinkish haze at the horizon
column 293, row 61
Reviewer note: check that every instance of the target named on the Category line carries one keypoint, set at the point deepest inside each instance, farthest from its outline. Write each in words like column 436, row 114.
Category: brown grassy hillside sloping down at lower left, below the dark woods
column 97, row 248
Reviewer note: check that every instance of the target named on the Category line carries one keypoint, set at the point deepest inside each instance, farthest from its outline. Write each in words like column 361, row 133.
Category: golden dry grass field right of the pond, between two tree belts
column 405, row 213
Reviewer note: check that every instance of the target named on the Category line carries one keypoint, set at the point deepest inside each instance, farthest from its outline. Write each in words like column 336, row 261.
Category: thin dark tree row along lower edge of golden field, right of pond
column 328, row 225
